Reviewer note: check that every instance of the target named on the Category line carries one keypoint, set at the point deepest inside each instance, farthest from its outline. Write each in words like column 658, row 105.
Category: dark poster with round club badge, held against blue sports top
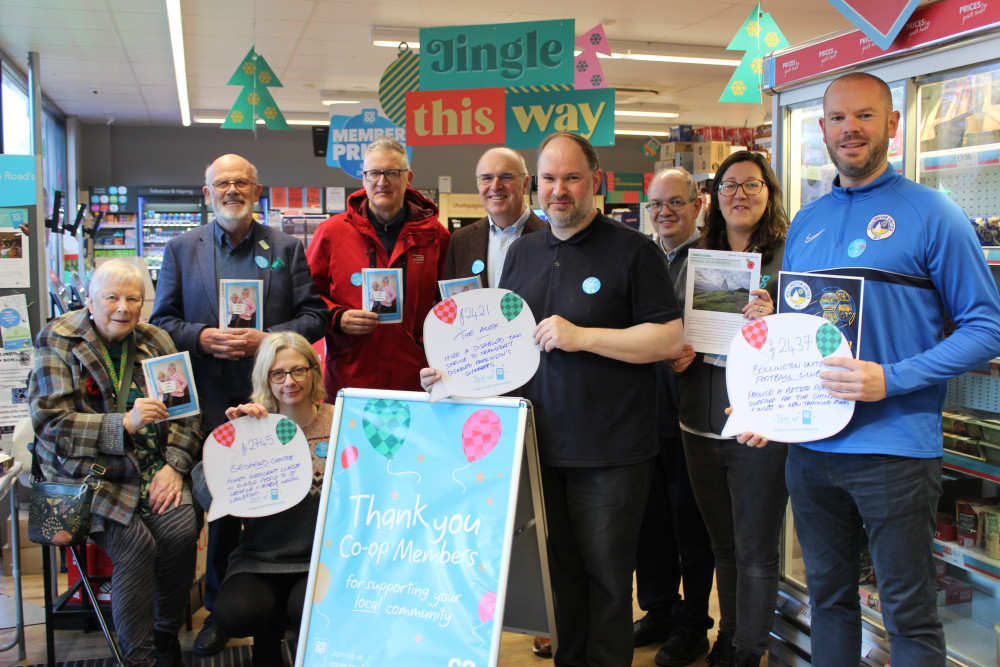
column 837, row 299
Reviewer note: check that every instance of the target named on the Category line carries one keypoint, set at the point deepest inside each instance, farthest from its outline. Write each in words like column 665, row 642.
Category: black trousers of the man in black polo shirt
column 593, row 516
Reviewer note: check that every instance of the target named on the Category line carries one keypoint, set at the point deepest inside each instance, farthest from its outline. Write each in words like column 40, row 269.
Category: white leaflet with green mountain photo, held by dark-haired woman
column 718, row 286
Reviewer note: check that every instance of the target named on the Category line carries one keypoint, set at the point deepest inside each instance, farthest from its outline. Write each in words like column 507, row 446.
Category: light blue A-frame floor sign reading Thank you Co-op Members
column 431, row 528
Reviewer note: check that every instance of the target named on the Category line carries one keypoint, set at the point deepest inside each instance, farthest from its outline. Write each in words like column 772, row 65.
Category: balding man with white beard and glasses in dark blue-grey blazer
column 235, row 246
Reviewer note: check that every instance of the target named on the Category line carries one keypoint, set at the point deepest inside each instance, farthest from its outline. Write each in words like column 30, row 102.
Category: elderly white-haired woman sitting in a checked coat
column 142, row 514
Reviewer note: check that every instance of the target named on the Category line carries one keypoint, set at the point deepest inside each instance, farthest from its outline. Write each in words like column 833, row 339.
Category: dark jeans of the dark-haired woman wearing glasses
column 741, row 493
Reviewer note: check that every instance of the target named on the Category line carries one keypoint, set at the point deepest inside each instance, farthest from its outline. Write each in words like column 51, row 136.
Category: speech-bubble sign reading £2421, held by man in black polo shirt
column 480, row 342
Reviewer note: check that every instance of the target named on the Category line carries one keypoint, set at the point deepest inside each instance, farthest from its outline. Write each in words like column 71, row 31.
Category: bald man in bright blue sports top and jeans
column 922, row 266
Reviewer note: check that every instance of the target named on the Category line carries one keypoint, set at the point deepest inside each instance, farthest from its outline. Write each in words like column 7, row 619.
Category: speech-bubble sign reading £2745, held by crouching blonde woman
column 256, row 467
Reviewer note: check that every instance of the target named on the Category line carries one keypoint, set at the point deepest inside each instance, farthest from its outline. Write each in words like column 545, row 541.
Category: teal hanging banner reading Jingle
column 497, row 55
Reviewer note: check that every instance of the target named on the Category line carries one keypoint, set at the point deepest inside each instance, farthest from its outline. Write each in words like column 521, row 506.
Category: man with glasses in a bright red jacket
column 386, row 225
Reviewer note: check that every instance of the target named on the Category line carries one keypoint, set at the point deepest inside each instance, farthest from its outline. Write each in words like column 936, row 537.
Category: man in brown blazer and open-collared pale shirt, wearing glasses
column 480, row 248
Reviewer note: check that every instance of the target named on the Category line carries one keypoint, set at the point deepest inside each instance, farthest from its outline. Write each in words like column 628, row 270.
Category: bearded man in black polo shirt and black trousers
column 607, row 312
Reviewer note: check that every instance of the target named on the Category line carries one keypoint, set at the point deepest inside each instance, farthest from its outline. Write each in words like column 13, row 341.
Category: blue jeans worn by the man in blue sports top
column 894, row 499
